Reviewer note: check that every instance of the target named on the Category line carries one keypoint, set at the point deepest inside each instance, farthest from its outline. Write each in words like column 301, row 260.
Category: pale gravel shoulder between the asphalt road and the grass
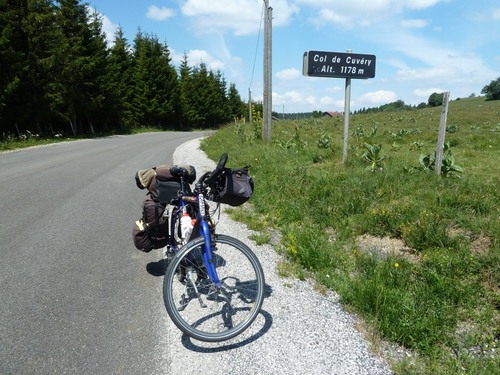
column 299, row 331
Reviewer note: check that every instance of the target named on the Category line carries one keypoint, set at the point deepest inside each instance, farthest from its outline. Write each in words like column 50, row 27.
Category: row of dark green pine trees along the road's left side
column 58, row 75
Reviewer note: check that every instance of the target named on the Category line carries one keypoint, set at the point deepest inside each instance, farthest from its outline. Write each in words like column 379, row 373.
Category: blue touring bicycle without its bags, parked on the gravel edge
column 213, row 287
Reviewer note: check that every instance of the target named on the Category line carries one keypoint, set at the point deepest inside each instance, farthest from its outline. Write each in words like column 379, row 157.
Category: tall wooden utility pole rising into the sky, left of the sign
column 268, row 93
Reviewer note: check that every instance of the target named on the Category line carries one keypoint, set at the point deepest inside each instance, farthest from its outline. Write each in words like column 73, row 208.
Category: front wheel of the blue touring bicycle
column 203, row 310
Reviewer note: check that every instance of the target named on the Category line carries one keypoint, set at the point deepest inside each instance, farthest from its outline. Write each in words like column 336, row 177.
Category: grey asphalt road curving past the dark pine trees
column 75, row 295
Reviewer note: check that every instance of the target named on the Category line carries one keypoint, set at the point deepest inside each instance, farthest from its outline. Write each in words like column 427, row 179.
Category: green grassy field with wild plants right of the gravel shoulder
column 416, row 255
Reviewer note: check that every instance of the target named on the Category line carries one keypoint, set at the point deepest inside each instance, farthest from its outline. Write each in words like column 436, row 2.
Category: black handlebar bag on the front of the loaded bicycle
column 234, row 187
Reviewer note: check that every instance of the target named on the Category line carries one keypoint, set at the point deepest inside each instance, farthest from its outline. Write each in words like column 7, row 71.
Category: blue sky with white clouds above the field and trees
column 421, row 46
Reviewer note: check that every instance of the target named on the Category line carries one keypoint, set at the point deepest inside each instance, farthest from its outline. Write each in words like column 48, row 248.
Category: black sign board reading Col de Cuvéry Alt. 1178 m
column 338, row 65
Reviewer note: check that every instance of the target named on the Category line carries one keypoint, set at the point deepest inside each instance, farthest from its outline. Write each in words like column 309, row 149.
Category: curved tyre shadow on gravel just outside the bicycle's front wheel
column 207, row 347
